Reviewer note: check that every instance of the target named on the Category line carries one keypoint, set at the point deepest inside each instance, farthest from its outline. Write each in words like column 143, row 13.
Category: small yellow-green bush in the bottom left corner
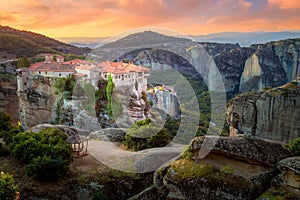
column 8, row 189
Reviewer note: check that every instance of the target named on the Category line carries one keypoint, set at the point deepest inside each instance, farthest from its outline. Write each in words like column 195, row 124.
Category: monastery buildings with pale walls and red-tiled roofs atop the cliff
column 122, row 73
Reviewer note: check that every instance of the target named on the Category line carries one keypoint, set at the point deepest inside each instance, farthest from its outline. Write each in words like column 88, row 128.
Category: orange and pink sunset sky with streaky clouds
column 104, row 18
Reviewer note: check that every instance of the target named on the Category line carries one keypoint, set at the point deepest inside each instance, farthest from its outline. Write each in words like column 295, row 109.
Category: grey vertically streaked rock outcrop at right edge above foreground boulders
column 271, row 114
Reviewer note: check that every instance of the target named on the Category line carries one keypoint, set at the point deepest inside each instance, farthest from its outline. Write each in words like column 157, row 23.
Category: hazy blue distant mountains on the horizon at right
column 246, row 38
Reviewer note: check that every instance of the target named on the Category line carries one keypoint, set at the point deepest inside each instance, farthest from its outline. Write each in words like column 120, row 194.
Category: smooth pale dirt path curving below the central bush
column 136, row 162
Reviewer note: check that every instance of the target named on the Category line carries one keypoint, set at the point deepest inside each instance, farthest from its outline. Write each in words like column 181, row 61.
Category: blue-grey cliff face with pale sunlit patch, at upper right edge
column 276, row 64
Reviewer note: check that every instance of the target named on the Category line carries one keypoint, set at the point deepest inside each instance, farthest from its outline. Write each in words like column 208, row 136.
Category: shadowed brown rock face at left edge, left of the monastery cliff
column 9, row 102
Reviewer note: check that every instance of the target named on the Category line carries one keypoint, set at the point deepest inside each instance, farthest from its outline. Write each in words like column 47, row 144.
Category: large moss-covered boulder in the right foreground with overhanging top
column 235, row 168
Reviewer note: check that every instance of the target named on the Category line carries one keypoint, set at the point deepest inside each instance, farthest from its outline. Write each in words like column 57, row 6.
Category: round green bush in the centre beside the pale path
column 144, row 134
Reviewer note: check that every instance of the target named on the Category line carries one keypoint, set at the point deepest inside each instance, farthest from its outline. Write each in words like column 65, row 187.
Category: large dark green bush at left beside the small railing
column 46, row 154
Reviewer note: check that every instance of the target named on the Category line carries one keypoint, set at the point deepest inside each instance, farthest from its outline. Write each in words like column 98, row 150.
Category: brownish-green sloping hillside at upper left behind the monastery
column 25, row 43
